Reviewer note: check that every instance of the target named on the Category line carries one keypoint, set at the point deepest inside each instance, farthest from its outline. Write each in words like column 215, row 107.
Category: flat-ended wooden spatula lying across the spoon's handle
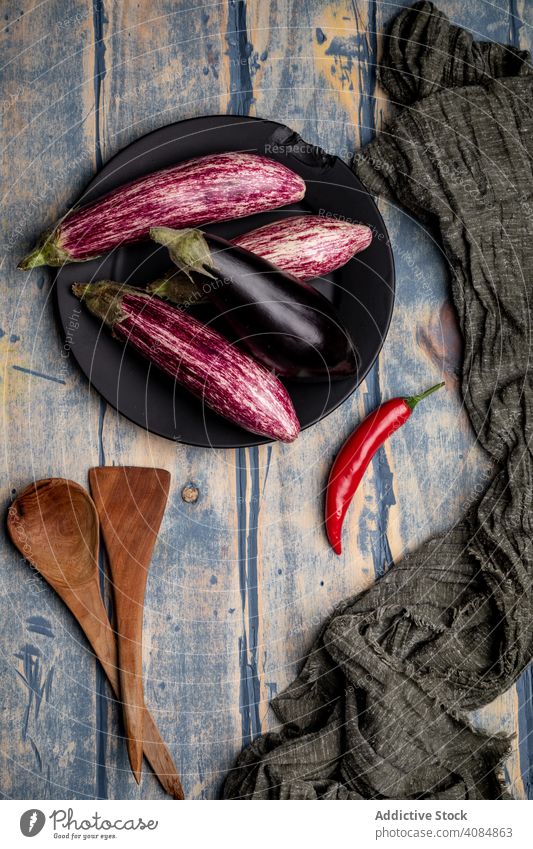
column 130, row 502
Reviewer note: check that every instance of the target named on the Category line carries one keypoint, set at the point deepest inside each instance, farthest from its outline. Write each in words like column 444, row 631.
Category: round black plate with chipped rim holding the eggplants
column 362, row 291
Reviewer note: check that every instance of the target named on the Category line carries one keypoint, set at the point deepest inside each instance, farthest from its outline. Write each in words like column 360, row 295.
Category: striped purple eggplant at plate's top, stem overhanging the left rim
column 212, row 188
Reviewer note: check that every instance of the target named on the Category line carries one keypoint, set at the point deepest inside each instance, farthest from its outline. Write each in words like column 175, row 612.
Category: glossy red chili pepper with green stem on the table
column 355, row 455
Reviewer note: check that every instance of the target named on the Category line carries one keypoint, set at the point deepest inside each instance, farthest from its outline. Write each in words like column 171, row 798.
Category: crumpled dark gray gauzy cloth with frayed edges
column 379, row 709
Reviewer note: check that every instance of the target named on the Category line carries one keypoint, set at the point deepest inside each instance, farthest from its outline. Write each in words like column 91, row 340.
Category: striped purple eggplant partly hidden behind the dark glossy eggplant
column 306, row 246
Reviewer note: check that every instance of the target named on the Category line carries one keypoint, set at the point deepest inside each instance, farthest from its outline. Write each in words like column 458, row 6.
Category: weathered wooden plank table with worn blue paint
column 241, row 579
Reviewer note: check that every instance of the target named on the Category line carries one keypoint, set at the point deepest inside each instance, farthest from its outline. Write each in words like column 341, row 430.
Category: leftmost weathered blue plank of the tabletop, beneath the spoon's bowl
column 49, row 726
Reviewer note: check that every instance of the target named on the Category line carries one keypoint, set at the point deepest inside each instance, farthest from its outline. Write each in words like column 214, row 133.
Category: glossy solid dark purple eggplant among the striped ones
column 285, row 323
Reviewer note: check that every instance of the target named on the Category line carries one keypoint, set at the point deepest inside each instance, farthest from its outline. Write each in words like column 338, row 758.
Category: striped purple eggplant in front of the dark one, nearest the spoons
column 199, row 358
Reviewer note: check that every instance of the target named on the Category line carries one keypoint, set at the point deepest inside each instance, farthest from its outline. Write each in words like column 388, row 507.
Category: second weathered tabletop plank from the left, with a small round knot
column 192, row 626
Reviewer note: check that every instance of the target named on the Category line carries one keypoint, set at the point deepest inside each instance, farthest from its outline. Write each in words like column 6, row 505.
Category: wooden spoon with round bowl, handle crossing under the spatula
column 54, row 525
